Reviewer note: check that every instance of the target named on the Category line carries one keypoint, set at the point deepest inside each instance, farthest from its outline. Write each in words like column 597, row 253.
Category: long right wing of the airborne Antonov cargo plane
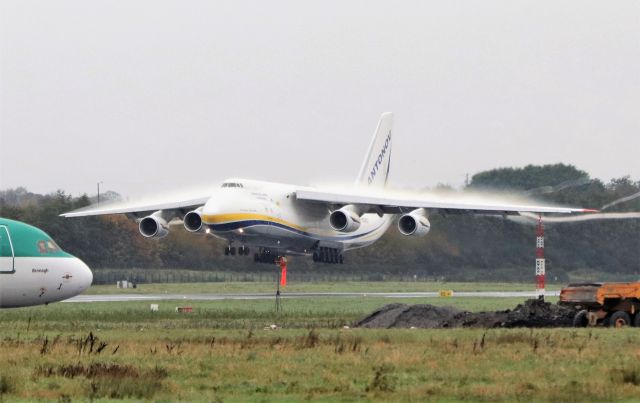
column 398, row 205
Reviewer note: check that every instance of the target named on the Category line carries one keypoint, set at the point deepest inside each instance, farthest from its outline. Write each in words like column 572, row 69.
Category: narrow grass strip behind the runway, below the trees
column 346, row 286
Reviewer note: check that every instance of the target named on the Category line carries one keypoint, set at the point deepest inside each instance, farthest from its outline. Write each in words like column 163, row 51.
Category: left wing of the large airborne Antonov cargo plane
column 136, row 208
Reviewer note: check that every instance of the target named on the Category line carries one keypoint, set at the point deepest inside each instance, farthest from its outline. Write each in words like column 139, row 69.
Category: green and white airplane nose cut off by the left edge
column 33, row 268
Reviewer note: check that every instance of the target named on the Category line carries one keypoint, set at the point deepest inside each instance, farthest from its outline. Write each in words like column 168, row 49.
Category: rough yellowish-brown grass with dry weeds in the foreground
column 327, row 364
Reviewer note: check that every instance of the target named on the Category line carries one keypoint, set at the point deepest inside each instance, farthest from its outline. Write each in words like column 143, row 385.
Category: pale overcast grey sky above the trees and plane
column 158, row 94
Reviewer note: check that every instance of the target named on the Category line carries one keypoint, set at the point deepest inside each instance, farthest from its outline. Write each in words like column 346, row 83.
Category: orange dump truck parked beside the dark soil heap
column 610, row 304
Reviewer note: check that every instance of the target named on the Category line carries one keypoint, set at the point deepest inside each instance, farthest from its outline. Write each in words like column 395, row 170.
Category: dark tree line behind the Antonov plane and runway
column 459, row 247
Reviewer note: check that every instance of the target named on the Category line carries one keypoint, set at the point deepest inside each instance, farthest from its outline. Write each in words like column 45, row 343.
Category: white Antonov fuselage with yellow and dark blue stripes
column 267, row 215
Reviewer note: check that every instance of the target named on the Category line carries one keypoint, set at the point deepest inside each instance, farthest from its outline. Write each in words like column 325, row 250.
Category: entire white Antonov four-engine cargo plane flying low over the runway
column 280, row 219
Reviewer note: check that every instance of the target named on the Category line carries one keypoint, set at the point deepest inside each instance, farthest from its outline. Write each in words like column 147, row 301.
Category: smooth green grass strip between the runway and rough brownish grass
column 226, row 314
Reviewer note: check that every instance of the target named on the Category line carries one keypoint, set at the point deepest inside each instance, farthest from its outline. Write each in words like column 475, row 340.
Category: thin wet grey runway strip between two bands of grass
column 252, row 296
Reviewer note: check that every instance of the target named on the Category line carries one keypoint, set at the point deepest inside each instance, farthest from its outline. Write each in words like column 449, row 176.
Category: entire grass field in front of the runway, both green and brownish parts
column 226, row 351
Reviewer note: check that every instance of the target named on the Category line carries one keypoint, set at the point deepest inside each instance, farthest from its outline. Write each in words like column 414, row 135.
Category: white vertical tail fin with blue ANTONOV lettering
column 375, row 167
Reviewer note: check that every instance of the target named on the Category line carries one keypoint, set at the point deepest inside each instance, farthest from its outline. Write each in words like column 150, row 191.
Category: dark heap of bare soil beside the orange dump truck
column 532, row 313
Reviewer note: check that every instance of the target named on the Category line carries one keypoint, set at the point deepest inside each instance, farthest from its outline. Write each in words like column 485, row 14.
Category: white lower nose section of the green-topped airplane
column 41, row 280
